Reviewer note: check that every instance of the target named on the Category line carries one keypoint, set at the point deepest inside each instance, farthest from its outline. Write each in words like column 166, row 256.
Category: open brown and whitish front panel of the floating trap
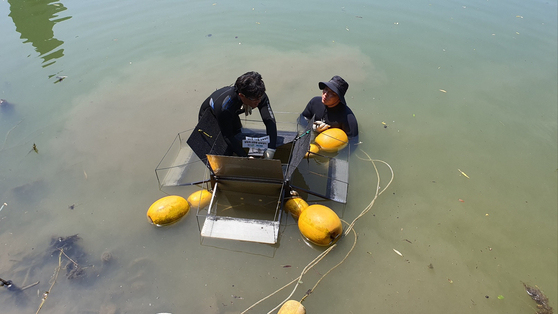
column 247, row 199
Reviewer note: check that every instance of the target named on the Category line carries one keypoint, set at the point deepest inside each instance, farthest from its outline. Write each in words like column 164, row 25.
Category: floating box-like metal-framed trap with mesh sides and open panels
column 248, row 193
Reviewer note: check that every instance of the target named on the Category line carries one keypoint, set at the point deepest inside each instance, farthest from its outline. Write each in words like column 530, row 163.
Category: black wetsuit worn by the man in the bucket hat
column 340, row 116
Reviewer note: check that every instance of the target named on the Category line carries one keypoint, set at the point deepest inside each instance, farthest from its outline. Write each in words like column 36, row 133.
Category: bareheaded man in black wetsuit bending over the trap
column 229, row 102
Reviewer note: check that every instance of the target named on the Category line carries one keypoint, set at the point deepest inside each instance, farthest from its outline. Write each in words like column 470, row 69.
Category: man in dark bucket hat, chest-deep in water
column 331, row 110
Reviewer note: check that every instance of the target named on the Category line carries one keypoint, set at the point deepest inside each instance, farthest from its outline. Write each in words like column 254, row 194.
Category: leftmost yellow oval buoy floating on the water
column 167, row 210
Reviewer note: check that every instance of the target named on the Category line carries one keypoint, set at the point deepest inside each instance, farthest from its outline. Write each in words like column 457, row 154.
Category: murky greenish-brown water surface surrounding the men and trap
column 460, row 85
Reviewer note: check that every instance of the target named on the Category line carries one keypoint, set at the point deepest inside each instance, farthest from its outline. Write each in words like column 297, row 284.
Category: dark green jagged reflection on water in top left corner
column 35, row 21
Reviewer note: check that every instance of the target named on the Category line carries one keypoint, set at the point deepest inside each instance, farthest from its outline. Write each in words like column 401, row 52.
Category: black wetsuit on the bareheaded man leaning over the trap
column 225, row 104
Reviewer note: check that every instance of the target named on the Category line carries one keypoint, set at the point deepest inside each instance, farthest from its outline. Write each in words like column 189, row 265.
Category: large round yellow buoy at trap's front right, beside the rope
column 320, row 225
